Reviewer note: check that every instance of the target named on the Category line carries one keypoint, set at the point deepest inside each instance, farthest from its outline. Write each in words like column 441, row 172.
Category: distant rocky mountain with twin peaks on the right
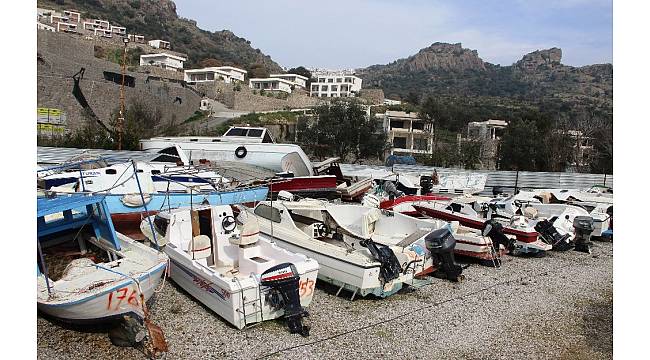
column 449, row 70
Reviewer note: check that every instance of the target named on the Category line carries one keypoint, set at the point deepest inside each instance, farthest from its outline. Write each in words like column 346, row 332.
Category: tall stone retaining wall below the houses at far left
column 62, row 55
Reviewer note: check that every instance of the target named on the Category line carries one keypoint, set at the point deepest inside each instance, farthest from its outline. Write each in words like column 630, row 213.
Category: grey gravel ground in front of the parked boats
column 556, row 307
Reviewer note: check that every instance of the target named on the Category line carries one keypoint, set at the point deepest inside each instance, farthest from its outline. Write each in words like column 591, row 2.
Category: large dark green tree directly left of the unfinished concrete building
column 342, row 129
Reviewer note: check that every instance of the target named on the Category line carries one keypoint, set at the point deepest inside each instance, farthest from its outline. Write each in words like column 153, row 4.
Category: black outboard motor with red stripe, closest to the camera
column 283, row 279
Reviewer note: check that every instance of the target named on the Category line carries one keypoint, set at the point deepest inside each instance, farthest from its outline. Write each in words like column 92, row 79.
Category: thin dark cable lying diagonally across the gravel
column 431, row 305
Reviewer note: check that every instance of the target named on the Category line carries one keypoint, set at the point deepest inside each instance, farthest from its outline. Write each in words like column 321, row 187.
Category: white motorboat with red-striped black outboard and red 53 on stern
column 242, row 277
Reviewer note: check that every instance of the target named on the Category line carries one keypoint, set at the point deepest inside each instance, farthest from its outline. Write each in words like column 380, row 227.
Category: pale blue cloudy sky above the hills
column 343, row 34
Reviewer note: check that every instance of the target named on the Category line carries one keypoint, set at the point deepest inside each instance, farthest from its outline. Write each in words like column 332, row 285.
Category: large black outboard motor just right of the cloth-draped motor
column 441, row 244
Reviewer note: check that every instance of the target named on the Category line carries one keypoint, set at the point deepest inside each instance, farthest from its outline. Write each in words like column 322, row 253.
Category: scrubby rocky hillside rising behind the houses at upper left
column 157, row 19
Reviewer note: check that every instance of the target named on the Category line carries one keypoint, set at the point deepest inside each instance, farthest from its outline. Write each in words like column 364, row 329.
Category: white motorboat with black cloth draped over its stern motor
column 354, row 245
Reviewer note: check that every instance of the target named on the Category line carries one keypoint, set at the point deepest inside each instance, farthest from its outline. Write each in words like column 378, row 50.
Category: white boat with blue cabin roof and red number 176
column 110, row 275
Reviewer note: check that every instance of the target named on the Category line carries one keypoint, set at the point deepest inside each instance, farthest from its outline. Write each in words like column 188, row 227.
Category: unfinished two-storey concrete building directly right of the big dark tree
column 407, row 133
